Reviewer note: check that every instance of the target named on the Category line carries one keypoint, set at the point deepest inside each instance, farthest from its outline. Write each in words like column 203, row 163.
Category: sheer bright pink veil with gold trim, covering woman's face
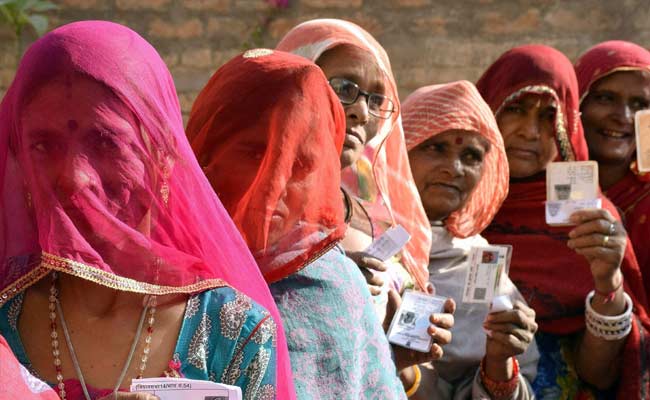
column 99, row 181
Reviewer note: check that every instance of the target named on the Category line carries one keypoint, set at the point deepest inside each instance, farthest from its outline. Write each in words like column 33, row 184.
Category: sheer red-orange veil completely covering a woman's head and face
column 268, row 131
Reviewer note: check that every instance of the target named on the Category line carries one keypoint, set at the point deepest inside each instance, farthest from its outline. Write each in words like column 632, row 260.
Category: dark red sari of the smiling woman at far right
column 632, row 193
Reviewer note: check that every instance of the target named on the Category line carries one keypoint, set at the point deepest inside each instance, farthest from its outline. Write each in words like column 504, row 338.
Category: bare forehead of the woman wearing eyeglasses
column 353, row 63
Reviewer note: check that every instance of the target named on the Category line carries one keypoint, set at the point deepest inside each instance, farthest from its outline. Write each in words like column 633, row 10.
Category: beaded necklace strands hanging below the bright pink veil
column 55, row 307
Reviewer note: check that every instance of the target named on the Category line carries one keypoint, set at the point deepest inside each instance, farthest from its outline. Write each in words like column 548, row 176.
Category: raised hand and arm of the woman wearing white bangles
column 598, row 360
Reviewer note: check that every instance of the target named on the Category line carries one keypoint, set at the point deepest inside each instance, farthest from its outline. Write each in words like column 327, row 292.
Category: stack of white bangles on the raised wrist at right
column 608, row 327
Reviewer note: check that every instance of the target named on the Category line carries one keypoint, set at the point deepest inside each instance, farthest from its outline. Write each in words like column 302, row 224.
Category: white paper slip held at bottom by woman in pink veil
column 185, row 389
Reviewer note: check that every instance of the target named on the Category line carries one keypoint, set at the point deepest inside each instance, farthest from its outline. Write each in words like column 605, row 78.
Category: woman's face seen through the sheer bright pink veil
column 82, row 141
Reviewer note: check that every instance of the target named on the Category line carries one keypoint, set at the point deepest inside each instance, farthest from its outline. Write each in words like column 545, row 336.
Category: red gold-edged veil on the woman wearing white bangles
column 554, row 279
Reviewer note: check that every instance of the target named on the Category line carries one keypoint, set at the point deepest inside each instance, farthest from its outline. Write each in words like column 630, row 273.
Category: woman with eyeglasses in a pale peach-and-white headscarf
column 376, row 180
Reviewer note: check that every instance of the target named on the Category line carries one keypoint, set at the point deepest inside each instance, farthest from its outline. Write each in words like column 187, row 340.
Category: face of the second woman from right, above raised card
column 528, row 128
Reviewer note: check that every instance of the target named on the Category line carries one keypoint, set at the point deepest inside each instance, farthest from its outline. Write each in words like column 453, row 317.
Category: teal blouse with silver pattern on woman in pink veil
column 225, row 337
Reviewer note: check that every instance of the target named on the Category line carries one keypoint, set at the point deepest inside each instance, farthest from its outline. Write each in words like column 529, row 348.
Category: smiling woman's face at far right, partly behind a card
column 608, row 115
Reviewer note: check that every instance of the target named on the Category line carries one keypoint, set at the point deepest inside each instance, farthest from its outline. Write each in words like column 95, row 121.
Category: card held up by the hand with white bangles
column 570, row 186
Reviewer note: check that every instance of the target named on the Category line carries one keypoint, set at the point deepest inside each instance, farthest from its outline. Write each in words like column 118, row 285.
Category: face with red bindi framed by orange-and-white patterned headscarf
column 446, row 169
